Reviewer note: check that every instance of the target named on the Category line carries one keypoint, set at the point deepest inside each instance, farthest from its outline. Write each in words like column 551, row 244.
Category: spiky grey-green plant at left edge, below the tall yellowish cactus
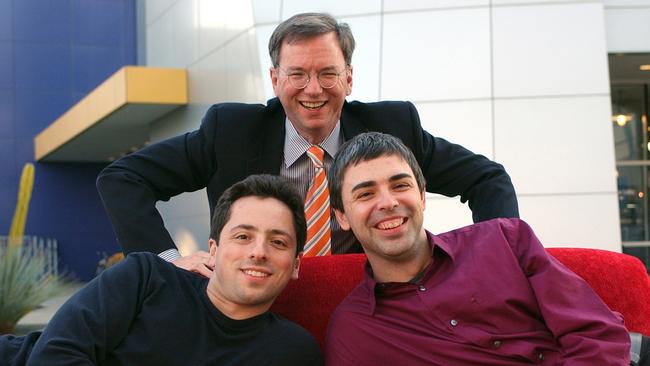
column 24, row 284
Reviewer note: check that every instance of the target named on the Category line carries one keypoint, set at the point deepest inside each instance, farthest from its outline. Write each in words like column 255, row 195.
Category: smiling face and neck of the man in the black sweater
column 255, row 258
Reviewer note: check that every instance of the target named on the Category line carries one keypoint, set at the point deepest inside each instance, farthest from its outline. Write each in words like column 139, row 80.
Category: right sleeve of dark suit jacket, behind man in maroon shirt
column 452, row 170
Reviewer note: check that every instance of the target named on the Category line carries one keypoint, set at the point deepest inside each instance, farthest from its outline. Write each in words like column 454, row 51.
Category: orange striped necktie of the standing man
column 317, row 208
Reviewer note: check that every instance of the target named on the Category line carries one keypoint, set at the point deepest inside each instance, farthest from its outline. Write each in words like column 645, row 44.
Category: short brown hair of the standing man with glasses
column 308, row 25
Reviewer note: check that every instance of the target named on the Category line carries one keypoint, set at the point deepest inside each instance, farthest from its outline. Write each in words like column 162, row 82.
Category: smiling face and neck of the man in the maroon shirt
column 384, row 208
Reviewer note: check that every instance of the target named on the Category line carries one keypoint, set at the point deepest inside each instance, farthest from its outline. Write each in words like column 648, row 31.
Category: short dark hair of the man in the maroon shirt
column 364, row 147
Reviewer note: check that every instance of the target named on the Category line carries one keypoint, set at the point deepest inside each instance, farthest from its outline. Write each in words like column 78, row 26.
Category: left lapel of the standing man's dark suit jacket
column 269, row 141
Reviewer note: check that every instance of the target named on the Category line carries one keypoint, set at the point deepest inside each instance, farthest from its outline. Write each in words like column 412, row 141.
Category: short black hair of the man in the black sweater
column 262, row 186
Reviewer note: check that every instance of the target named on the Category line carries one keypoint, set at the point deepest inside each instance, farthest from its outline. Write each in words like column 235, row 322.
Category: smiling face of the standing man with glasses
column 313, row 111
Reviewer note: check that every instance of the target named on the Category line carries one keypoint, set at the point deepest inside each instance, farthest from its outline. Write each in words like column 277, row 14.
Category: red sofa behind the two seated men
column 619, row 279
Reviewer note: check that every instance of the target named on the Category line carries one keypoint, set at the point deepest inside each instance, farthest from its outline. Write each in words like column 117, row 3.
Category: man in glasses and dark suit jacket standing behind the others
column 311, row 76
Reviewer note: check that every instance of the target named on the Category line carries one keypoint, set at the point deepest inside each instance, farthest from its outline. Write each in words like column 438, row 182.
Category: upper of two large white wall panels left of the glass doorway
column 545, row 50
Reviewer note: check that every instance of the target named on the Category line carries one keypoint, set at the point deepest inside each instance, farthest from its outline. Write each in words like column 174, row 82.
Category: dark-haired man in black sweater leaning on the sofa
column 145, row 311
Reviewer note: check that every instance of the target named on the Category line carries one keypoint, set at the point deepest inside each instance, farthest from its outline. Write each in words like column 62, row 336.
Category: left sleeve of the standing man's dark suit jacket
column 131, row 186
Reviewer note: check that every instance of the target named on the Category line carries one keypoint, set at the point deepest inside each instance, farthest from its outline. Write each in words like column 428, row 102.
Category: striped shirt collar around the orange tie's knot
column 295, row 145
